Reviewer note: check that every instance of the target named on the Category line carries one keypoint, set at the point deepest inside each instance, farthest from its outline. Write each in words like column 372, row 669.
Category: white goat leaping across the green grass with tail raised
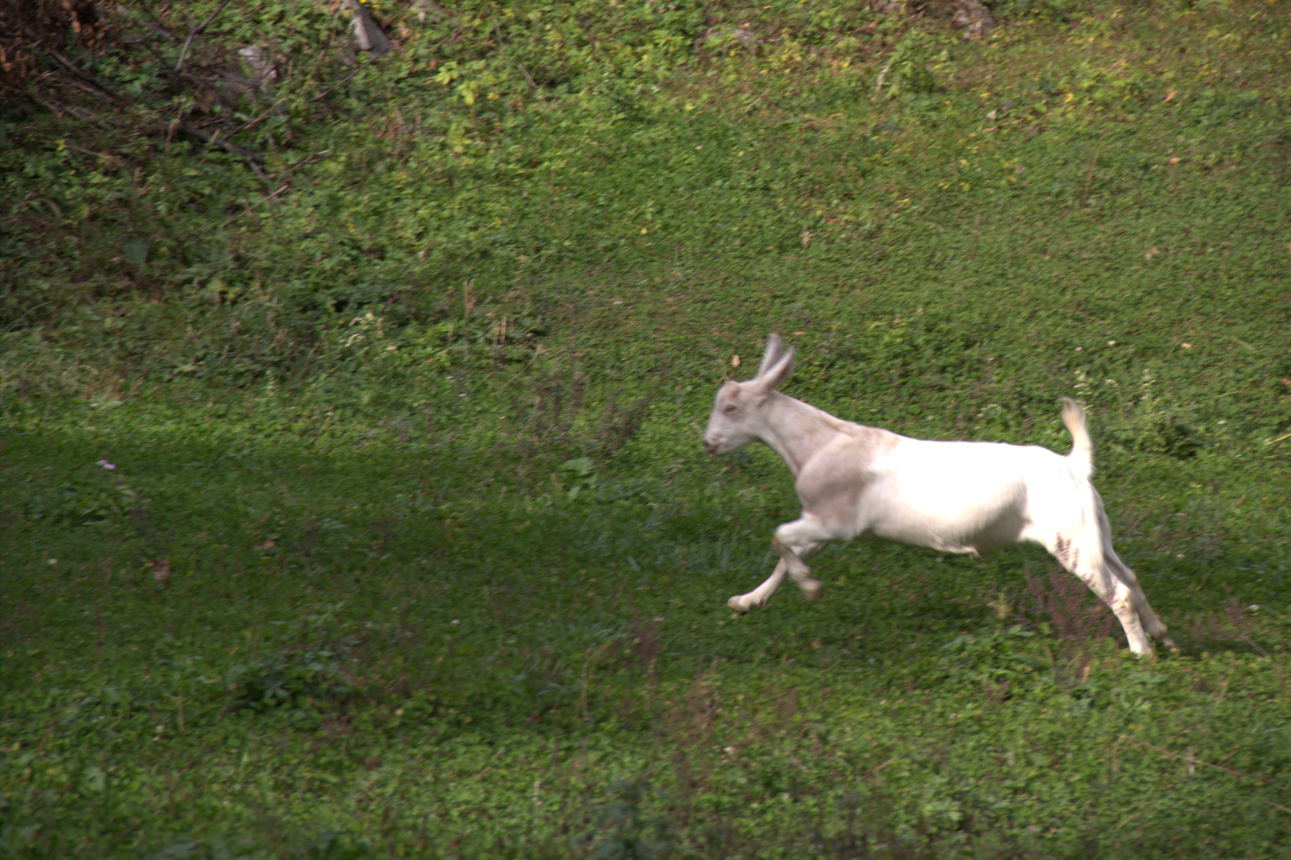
column 955, row 497
